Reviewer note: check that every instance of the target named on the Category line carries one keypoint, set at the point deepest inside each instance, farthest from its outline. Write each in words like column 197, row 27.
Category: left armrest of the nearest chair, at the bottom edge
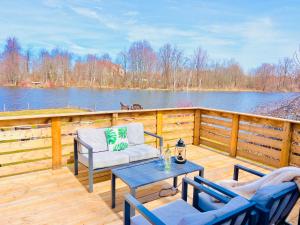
column 130, row 201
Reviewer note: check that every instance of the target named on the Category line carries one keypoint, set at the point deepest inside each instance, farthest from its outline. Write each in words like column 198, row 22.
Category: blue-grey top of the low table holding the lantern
column 149, row 172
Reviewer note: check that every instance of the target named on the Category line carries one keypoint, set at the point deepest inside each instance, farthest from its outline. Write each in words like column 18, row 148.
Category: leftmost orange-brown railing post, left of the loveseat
column 56, row 143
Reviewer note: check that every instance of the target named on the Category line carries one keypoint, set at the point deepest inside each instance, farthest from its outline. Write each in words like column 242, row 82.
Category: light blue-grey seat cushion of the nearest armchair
column 171, row 213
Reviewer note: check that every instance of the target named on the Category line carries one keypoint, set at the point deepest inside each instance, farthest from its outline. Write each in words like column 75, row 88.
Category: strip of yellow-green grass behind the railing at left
column 41, row 112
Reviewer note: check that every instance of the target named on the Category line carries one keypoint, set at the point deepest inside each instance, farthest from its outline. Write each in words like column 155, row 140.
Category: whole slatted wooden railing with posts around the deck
column 41, row 142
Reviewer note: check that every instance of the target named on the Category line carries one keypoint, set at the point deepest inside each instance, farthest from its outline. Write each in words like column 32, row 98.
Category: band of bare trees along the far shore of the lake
column 140, row 66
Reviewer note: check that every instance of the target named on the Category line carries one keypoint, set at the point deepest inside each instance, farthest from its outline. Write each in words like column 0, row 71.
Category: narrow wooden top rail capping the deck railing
column 45, row 116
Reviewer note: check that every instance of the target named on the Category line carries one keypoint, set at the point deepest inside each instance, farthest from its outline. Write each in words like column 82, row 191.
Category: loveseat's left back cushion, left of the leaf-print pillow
column 95, row 137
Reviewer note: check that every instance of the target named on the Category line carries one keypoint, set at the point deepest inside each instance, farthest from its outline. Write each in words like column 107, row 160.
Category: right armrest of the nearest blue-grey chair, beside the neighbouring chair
column 200, row 187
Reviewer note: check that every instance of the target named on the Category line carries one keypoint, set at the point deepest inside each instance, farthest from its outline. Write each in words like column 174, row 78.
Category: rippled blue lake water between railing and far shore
column 99, row 99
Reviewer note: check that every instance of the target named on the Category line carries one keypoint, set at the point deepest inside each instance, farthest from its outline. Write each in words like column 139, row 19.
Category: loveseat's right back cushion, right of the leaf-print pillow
column 135, row 133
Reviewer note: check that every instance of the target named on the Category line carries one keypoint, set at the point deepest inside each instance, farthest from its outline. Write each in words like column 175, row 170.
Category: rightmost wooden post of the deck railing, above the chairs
column 286, row 144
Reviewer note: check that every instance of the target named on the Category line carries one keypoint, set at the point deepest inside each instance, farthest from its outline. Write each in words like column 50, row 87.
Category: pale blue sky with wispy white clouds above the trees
column 252, row 32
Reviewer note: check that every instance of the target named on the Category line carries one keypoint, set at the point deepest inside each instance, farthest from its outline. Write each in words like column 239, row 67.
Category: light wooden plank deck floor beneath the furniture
column 58, row 197
